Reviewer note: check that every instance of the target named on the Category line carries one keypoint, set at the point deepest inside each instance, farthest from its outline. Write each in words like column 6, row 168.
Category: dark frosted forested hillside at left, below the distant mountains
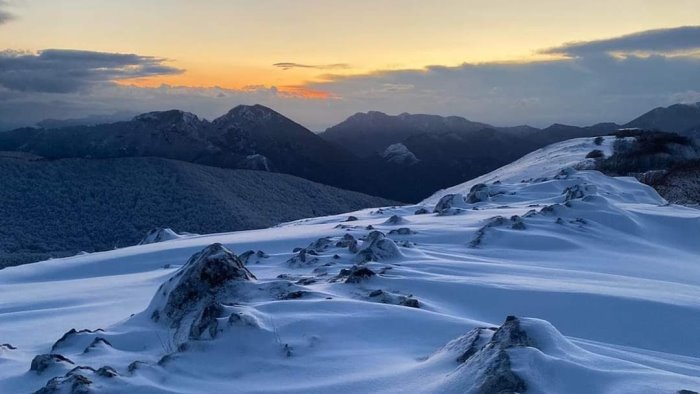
column 61, row 207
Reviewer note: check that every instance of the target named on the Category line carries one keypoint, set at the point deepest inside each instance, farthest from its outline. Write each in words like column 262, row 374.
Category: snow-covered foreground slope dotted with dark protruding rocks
column 460, row 294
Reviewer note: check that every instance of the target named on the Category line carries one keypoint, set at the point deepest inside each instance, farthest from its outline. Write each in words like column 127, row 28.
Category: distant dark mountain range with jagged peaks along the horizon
column 427, row 153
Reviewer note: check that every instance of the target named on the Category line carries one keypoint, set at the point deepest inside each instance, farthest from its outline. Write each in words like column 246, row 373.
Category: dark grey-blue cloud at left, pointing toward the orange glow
column 65, row 71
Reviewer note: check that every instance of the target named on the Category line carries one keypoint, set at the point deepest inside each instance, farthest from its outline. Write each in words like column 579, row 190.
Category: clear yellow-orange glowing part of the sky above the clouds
column 236, row 44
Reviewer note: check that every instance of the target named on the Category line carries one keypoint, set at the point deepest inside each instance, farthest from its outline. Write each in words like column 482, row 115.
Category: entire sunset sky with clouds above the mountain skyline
column 504, row 62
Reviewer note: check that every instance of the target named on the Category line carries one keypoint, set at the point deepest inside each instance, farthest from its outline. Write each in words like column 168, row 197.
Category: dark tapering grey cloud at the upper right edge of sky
column 679, row 39
